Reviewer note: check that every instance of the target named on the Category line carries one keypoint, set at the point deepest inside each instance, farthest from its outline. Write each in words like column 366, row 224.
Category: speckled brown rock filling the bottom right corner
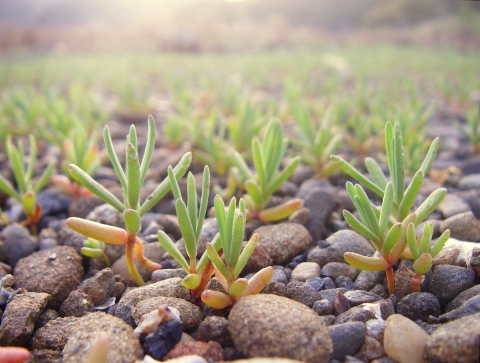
column 457, row 341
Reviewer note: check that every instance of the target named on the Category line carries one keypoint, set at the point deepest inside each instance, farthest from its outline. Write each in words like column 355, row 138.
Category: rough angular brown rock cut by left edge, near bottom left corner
column 19, row 317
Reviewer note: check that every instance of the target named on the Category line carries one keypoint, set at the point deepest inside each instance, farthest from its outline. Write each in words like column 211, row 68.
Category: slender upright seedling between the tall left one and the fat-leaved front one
column 190, row 220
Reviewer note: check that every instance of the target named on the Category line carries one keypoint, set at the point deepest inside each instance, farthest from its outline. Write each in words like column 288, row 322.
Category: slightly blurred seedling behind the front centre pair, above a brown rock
column 267, row 157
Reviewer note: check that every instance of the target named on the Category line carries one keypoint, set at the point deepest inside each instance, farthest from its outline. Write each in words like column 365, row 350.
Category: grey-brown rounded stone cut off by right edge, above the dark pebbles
column 463, row 226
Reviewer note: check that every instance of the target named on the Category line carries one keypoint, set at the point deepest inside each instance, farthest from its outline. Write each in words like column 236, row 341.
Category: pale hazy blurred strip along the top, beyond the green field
column 224, row 26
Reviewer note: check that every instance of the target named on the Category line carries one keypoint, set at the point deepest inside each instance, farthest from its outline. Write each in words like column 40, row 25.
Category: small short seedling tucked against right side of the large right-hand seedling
column 420, row 249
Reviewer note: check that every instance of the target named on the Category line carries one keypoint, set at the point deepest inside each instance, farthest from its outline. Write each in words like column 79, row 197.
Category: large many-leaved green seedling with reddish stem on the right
column 386, row 229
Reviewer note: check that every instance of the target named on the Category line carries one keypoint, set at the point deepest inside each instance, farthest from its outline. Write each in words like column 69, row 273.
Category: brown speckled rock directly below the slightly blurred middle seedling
column 283, row 241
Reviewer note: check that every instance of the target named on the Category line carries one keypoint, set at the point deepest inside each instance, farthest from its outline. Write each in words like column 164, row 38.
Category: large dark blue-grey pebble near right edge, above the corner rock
column 449, row 281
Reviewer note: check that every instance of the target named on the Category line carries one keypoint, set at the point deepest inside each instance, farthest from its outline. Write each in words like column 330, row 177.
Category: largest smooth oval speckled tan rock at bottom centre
column 256, row 322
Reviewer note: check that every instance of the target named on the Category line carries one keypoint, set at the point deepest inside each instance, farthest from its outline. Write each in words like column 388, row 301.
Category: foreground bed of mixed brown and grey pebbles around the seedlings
column 316, row 308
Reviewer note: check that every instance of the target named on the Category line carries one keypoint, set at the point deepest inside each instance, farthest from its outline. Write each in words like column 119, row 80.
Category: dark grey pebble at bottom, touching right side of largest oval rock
column 347, row 339
